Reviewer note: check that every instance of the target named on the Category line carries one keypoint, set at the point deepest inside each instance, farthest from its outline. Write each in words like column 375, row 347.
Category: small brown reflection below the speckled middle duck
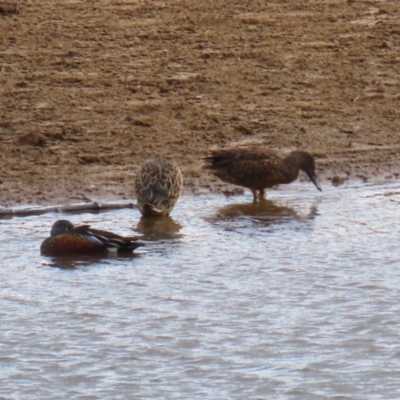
column 158, row 228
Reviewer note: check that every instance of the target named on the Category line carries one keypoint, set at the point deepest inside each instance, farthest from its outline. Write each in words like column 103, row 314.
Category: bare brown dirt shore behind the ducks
column 89, row 89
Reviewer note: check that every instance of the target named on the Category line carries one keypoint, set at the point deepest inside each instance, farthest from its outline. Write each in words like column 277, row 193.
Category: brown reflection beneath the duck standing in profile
column 265, row 212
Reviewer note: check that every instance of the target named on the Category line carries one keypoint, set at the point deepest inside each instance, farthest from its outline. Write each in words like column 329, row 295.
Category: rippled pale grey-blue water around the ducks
column 296, row 298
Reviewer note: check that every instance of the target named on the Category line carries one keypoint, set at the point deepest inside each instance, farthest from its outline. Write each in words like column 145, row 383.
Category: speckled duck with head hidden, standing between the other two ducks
column 158, row 186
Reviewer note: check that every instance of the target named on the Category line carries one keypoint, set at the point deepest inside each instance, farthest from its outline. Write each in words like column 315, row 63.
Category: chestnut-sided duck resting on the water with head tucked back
column 68, row 239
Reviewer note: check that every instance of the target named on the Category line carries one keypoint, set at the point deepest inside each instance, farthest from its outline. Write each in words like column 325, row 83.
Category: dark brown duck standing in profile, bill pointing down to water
column 258, row 169
